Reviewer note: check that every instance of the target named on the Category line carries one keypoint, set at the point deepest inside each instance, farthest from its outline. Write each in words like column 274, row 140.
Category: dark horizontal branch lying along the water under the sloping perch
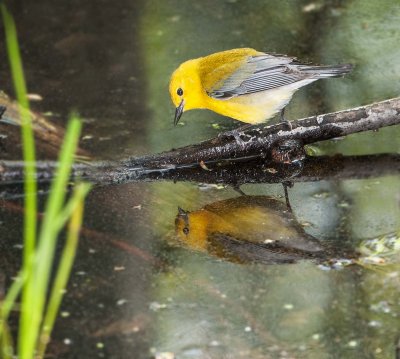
column 229, row 173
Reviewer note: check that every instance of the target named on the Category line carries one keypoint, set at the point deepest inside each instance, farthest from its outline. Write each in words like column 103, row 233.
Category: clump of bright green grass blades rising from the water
column 38, row 313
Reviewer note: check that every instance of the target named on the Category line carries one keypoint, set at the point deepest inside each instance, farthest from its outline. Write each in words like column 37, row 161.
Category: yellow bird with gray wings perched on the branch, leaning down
column 244, row 84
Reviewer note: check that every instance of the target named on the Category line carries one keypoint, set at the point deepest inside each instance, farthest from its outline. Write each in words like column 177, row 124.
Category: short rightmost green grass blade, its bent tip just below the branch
column 64, row 268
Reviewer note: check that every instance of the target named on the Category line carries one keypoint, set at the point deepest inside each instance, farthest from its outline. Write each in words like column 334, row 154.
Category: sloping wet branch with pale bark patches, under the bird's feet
column 261, row 140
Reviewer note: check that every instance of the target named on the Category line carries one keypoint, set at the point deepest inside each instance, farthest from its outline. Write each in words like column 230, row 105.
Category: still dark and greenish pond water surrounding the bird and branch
column 135, row 292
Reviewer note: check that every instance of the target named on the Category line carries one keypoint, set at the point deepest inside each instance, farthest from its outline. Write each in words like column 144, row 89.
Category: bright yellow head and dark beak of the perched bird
column 185, row 88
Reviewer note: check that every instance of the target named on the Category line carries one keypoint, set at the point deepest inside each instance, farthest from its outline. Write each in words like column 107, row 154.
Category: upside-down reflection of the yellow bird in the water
column 248, row 229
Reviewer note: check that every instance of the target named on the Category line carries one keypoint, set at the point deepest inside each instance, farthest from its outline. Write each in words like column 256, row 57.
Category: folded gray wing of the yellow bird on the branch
column 259, row 73
